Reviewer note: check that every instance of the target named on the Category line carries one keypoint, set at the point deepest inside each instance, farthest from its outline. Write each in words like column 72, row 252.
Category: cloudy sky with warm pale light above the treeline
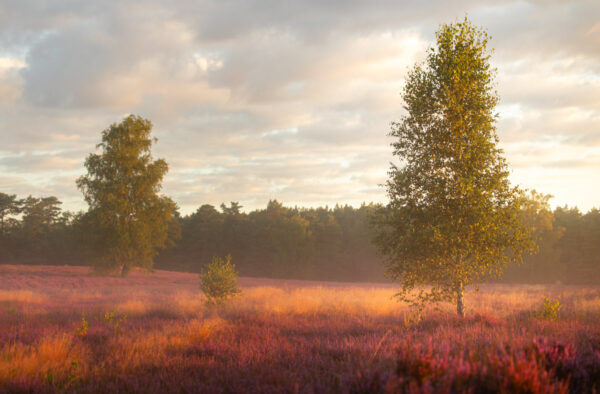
column 289, row 100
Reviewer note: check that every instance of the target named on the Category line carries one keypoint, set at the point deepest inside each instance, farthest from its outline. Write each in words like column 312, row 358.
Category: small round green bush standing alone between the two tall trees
column 218, row 280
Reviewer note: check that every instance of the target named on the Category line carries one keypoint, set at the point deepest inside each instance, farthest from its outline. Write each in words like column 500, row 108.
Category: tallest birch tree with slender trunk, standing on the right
column 453, row 219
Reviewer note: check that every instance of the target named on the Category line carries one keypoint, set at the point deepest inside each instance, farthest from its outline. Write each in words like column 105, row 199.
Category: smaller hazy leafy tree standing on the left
column 128, row 219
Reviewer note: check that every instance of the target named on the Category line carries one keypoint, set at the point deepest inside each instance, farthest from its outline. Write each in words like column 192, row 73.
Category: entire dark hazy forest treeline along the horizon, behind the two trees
column 283, row 242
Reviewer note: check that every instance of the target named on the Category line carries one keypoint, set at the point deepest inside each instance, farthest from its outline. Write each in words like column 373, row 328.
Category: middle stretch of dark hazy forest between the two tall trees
column 326, row 243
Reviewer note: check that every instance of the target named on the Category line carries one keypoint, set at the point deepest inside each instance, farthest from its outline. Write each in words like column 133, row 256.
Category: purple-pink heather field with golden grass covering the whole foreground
column 63, row 329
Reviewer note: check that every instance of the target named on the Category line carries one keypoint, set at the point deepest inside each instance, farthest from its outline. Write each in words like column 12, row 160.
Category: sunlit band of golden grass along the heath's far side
column 499, row 300
